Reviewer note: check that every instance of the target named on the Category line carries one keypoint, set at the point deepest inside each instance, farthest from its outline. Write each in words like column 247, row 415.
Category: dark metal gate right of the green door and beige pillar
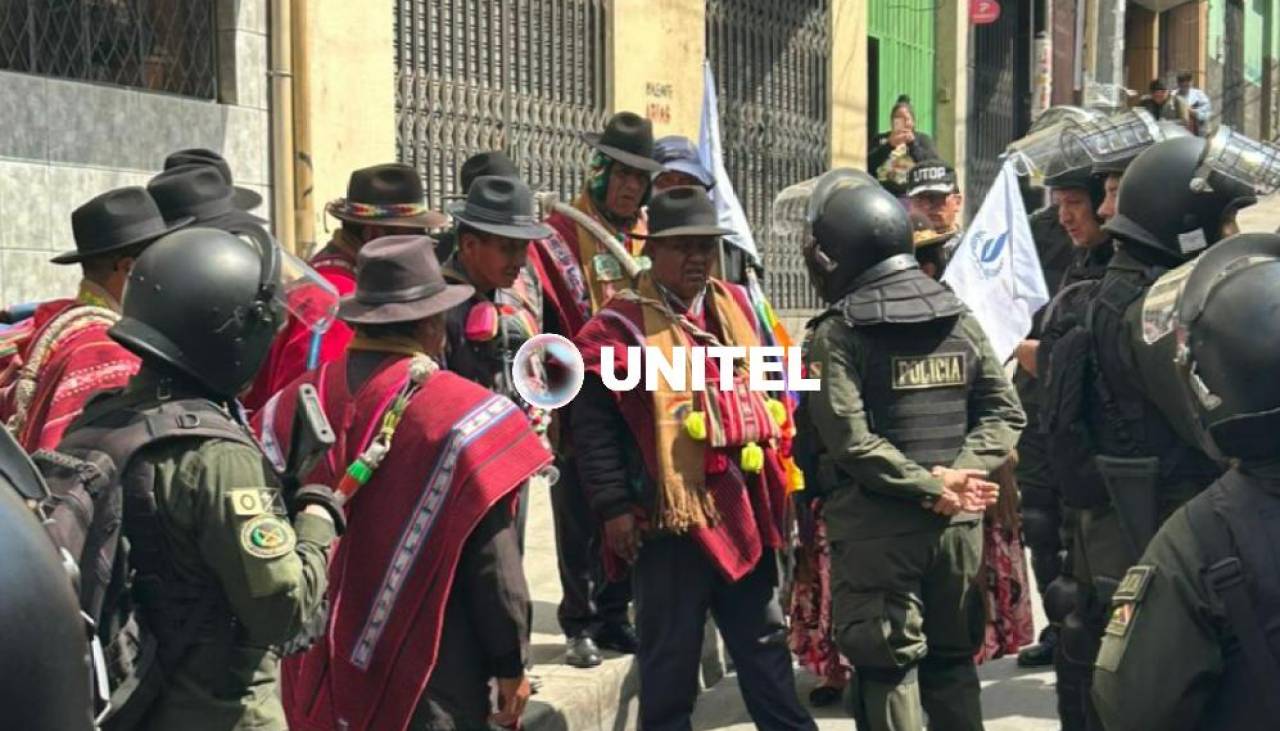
column 1000, row 98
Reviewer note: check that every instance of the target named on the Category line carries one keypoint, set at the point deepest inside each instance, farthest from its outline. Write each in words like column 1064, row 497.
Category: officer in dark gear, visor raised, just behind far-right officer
column 1119, row 463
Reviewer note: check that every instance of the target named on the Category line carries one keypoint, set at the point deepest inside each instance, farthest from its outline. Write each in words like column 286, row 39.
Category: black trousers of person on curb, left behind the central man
column 589, row 602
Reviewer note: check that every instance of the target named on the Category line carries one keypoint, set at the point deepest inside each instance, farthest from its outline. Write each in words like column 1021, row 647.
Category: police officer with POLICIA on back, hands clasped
column 913, row 413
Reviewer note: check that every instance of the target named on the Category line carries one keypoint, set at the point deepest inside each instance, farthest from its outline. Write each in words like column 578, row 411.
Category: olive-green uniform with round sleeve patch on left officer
column 221, row 508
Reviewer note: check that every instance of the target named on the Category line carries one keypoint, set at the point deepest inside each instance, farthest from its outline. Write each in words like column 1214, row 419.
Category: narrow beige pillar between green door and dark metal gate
column 952, row 75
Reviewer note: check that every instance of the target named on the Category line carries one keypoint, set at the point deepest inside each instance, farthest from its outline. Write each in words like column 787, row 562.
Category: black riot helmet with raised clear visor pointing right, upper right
column 1159, row 211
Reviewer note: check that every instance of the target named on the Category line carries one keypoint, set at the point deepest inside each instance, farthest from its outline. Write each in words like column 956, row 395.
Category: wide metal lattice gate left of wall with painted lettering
column 522, row 76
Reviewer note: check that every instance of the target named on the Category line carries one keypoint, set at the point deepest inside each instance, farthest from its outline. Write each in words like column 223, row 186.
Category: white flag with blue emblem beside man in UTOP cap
column 996, row 271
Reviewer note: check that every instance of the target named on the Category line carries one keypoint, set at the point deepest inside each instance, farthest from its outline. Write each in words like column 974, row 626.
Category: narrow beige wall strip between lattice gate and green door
column 849, row 84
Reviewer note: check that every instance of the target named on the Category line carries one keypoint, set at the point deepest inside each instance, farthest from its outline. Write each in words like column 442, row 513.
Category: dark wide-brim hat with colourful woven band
column 390, row 197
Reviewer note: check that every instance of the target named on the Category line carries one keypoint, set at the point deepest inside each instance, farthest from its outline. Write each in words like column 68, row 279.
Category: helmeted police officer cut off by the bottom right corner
column 1194, row 638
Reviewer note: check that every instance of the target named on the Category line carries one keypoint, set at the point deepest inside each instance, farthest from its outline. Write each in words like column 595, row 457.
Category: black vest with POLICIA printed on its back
column 916, row 389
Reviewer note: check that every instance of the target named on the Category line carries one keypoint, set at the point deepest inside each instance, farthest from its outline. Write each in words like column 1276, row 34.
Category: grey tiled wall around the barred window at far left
column 67, row 141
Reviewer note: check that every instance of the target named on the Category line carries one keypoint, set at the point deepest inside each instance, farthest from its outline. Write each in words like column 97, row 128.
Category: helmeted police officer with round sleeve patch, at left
column 225, row 570
